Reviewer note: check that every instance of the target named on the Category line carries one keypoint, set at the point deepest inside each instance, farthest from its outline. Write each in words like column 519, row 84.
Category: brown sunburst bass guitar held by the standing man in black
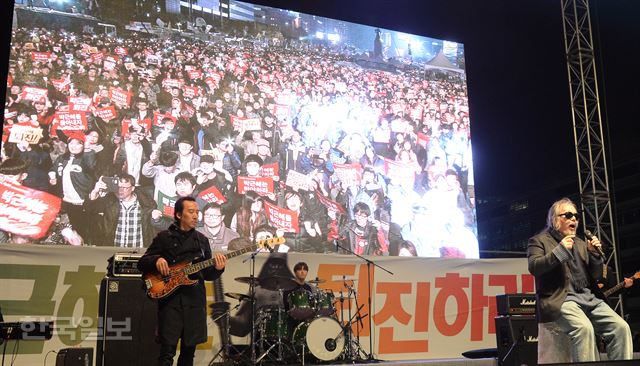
column 159, row 286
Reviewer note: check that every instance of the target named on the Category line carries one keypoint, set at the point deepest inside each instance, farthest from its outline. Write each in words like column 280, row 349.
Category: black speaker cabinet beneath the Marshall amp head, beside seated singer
column 517, row 340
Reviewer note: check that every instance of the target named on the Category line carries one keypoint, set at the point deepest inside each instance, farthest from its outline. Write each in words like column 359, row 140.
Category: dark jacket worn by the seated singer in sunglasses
column 553, row 276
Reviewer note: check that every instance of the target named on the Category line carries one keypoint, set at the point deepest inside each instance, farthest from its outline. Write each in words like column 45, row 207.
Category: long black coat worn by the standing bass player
column 183, row 314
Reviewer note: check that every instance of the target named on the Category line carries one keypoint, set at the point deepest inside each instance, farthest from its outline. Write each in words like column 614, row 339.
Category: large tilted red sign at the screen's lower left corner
column 25, row 211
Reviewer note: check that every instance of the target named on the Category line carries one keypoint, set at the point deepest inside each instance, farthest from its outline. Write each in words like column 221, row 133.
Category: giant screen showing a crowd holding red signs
column 339, row 137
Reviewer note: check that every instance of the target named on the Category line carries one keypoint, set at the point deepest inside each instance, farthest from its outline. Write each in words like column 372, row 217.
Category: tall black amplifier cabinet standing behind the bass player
column 127, row 326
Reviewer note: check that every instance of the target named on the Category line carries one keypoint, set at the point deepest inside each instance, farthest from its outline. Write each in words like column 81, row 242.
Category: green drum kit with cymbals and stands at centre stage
column 308, row 330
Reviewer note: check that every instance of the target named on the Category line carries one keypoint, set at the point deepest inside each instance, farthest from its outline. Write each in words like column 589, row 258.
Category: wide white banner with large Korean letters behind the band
column 428, row 308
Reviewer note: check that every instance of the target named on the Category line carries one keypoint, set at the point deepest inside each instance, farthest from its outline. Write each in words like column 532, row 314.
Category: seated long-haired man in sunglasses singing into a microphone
column 566, row 269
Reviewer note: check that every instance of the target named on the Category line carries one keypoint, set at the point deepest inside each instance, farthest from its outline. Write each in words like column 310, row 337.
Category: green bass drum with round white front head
column 320, row 339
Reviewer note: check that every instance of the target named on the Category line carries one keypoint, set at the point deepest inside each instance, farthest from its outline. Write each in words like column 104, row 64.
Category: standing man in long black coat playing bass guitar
column 182, row 315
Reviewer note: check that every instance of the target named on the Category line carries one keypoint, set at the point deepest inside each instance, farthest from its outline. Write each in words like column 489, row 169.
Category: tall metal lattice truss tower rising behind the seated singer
column 591, row 154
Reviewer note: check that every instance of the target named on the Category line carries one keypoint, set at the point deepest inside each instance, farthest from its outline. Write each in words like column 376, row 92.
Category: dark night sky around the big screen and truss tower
column 518, row 90
